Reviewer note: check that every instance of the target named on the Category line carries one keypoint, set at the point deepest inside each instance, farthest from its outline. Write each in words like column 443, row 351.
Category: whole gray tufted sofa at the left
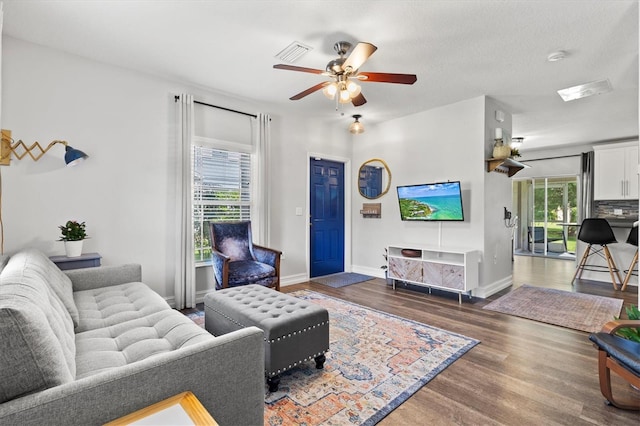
column 90, row 345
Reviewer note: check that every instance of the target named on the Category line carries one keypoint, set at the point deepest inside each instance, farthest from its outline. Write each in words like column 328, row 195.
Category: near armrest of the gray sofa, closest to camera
column 225, row 373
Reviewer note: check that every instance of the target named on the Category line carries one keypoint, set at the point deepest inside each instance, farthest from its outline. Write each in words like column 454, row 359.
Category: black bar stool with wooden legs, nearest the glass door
column 597, row 232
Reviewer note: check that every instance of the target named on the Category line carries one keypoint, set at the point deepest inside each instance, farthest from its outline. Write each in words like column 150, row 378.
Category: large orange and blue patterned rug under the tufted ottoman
column 376, row 362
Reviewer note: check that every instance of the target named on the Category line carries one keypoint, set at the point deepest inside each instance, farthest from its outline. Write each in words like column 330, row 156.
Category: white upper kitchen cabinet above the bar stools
column 616, row 171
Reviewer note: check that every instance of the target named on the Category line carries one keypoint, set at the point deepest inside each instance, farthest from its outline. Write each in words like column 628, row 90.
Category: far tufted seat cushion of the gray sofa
column 107, row 306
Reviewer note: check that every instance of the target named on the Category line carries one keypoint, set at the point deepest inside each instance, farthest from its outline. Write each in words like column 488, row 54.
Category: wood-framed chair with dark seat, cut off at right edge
column 621, row 356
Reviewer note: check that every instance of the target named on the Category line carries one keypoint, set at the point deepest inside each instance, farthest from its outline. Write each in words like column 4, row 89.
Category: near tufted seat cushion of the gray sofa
column 123, row 343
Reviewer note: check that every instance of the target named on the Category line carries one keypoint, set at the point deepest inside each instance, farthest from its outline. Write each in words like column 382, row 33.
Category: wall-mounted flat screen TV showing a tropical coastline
column 440, row 201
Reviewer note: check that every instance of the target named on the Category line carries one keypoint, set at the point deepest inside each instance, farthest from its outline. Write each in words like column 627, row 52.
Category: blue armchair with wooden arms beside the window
column 237, row 261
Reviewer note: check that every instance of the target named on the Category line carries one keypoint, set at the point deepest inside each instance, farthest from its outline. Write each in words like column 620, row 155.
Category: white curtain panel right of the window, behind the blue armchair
column 262, row 143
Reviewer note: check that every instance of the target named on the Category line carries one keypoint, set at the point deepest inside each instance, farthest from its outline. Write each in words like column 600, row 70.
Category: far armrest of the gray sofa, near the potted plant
column 104, row 276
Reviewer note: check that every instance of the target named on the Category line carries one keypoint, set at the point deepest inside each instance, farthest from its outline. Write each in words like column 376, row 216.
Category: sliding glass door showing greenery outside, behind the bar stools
column 547, row 211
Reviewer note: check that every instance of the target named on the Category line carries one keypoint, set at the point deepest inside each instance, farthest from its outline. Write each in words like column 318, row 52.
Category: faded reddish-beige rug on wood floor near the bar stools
column 584, row 312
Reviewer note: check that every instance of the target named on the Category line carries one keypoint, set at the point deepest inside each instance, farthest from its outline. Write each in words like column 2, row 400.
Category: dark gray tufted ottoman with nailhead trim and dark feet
column 294, row 330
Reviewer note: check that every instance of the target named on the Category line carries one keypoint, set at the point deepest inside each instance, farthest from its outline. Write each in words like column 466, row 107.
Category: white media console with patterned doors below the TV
column 444, row 268
